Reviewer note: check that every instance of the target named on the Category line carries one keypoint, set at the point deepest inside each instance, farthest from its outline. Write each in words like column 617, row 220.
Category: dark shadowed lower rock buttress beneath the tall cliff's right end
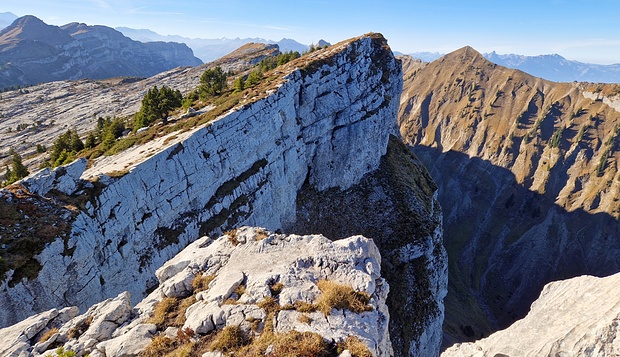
column 397, row 206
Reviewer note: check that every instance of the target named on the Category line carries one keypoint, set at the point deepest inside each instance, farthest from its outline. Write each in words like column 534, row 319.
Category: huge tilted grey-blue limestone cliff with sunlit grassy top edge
column 322, row 122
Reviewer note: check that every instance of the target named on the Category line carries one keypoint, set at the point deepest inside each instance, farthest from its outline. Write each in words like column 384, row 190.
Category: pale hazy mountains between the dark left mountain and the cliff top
column 211, row 49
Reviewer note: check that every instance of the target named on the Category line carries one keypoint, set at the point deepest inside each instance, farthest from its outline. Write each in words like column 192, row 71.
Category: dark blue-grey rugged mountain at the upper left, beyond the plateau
column 33, row 52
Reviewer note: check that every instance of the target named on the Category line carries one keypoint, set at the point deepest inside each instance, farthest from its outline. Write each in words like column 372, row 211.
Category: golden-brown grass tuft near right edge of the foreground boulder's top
column 337, row 296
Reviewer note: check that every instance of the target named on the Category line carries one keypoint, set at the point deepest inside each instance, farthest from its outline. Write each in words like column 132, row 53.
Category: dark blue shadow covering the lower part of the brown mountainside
column 505, row 243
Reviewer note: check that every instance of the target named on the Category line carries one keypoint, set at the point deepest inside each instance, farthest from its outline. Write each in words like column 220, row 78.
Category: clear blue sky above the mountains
column 584, row 30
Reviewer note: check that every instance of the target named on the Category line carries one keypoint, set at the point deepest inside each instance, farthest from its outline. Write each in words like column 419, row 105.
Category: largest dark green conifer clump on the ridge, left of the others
column 157, row 103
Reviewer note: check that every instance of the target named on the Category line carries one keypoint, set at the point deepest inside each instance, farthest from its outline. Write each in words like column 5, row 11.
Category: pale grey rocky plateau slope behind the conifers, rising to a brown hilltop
column 47, row 110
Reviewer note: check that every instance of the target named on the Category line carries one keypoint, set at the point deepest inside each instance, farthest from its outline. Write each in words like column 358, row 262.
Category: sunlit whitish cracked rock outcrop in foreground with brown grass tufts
column 256, row 280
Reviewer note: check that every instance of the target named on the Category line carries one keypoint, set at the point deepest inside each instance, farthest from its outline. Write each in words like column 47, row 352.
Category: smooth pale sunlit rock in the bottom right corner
column 575, row 317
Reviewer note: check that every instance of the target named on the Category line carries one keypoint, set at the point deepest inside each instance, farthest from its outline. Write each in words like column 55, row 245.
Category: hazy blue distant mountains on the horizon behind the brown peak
column 550, row 67
